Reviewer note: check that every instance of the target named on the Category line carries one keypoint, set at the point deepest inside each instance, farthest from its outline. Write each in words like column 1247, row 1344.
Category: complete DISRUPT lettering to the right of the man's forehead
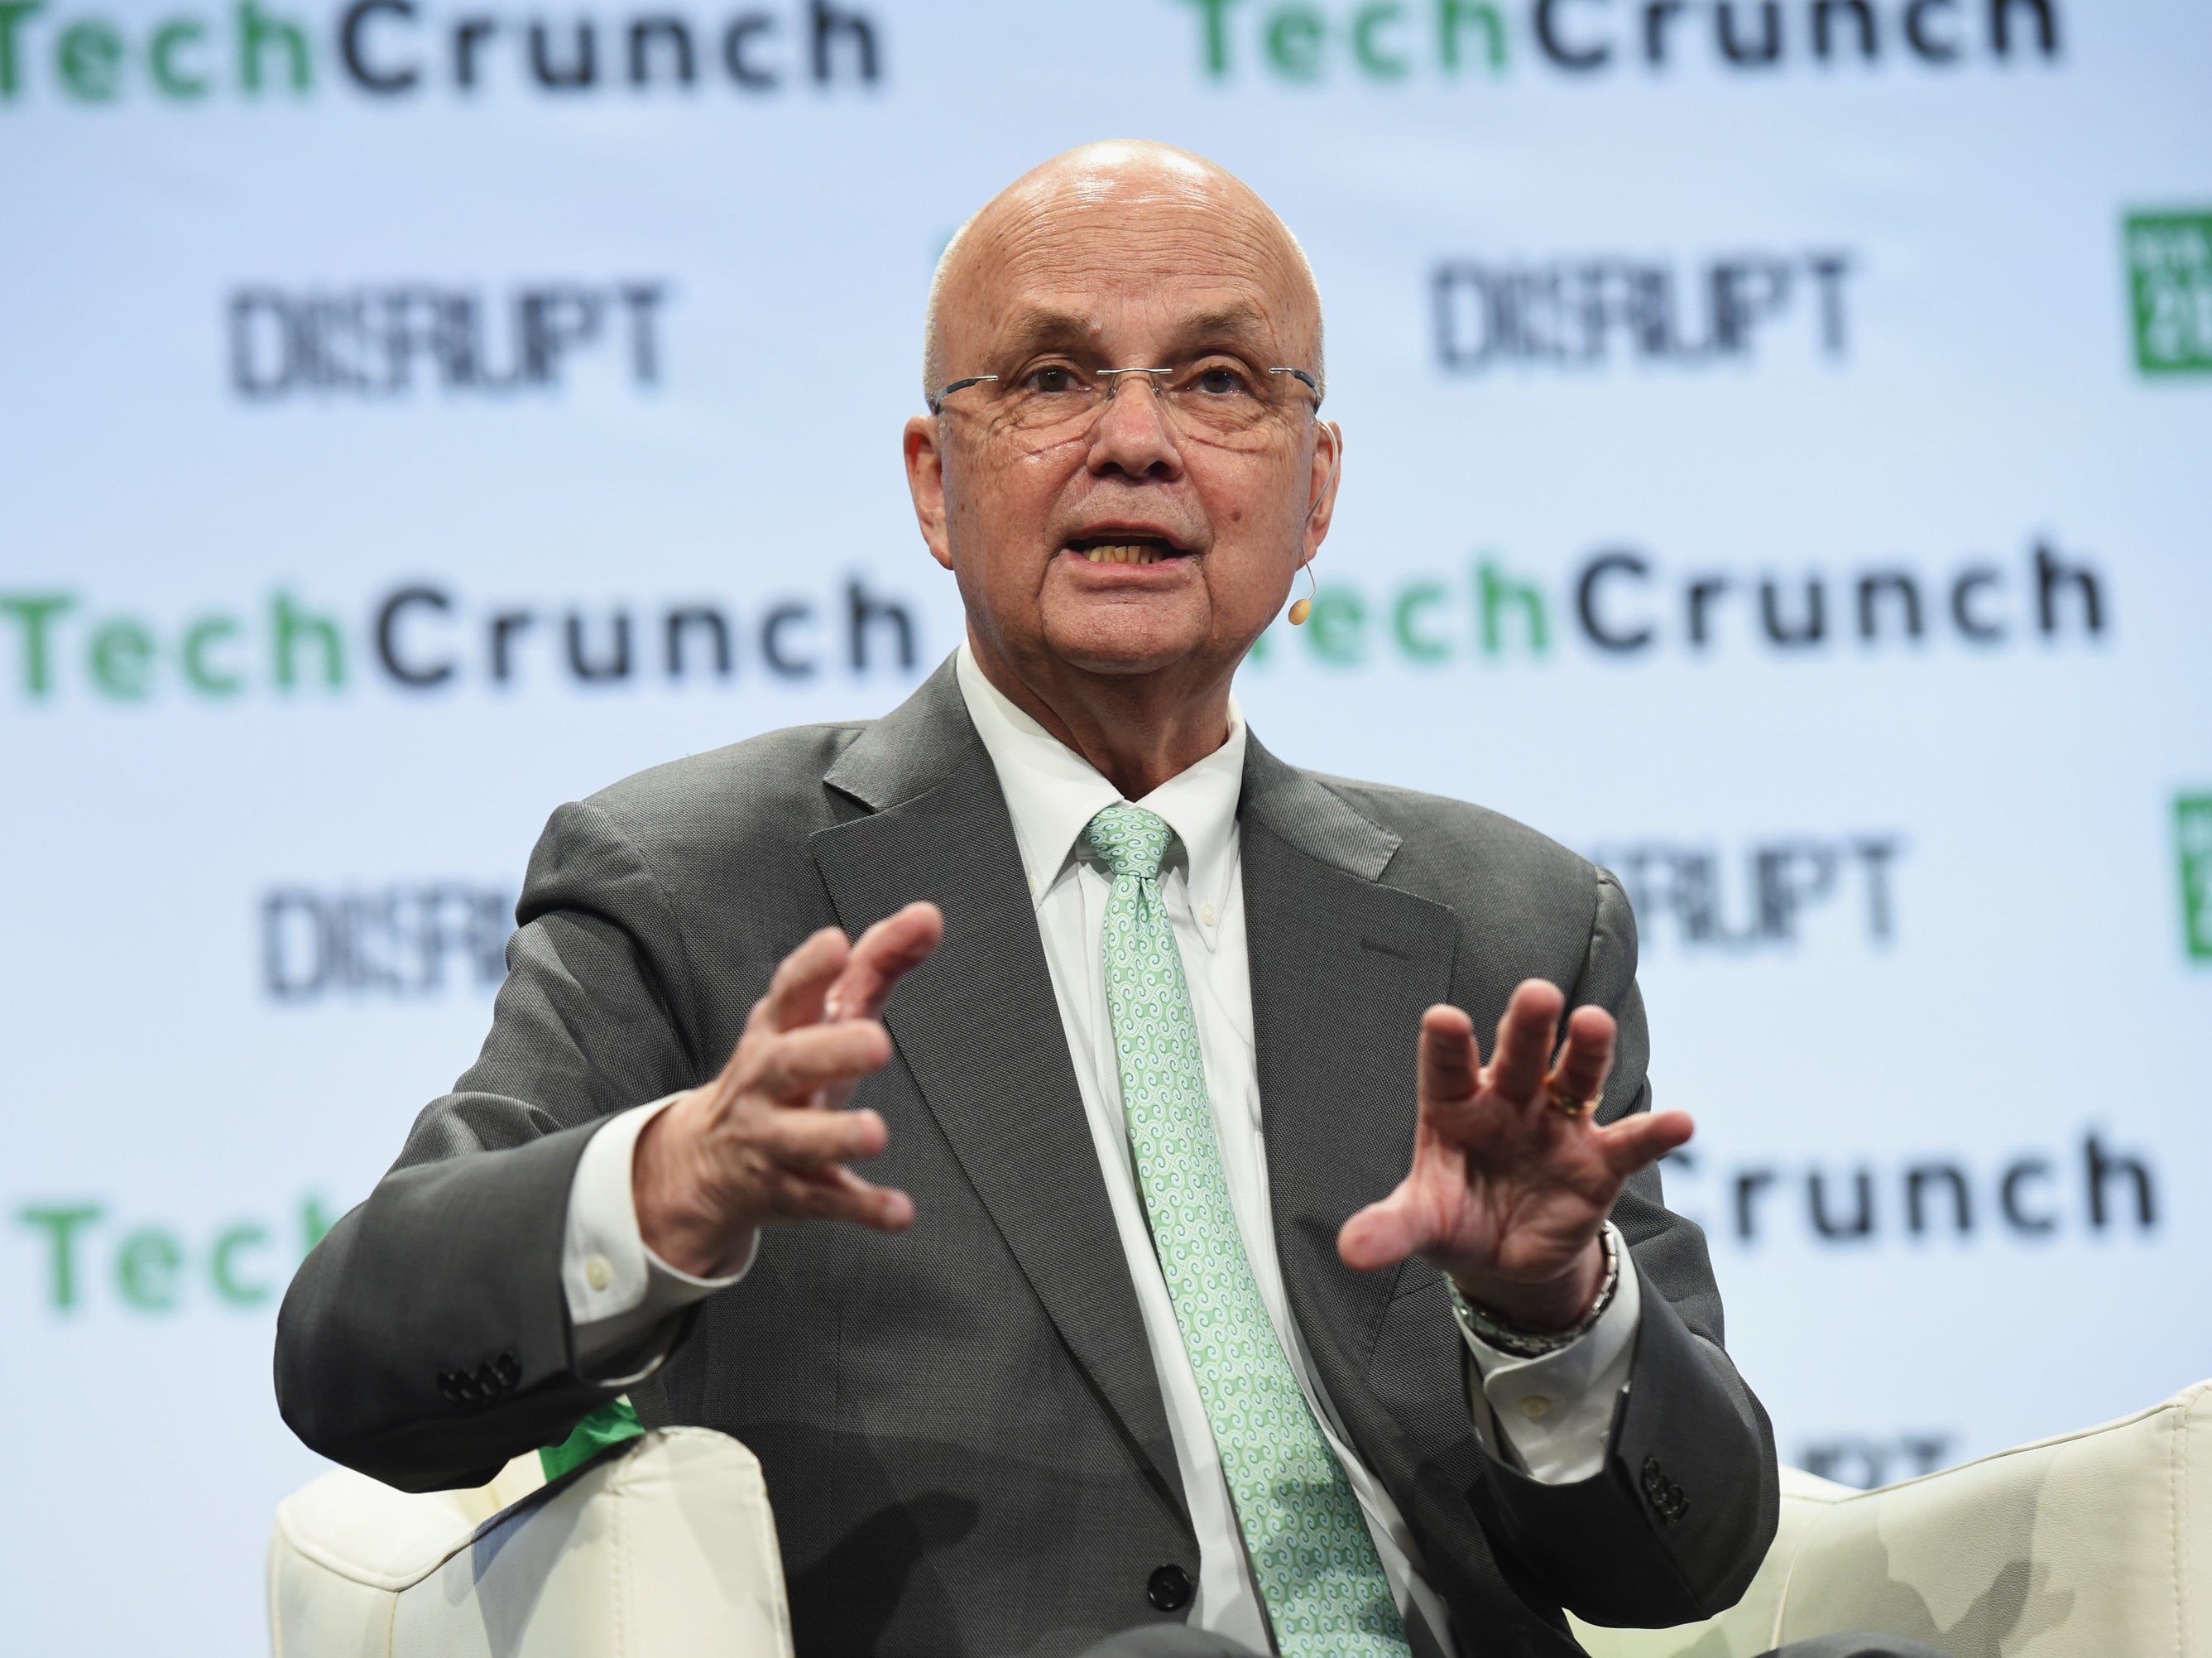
column 1578, row 313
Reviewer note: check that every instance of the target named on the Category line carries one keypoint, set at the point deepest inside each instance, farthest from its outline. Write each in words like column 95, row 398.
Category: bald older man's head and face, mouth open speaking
column 1142, row 543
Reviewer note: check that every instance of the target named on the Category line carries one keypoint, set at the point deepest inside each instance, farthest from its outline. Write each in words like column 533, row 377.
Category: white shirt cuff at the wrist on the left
column 620, row 1294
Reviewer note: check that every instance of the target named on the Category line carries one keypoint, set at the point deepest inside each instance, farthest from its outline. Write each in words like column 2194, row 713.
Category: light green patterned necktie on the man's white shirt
column 1311, row 1548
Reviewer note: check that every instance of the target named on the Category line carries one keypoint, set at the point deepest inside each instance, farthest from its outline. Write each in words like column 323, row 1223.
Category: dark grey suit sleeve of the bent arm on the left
column 426, row 1340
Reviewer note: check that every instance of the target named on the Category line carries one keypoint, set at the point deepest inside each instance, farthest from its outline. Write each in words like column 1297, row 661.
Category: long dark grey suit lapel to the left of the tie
column 981, row 1033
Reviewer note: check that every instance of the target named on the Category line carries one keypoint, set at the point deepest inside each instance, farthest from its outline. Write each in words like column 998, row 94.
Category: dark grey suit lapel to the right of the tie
column 1342, row 975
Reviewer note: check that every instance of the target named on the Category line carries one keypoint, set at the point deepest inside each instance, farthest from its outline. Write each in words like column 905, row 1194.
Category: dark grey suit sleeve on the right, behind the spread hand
column 1682, row 1513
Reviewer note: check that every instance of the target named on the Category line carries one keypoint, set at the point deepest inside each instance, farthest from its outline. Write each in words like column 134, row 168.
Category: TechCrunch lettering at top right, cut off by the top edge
column 1392, row 41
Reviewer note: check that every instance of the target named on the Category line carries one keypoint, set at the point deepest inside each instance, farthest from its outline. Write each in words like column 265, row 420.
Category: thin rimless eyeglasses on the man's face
column 1213, row 400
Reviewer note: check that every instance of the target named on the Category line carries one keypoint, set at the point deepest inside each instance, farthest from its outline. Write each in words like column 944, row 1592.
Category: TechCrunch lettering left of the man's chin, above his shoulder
column 426, row 639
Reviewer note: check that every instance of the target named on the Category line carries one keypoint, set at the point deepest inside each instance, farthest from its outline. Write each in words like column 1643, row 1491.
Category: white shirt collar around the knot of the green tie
column 1054, row 794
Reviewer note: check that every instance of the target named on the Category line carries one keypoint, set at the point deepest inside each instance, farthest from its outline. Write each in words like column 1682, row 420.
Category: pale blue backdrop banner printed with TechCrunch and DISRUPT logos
column 1780, row 466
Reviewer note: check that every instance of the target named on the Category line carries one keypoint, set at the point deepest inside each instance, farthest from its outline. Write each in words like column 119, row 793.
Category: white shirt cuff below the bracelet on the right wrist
column 1556, row 1413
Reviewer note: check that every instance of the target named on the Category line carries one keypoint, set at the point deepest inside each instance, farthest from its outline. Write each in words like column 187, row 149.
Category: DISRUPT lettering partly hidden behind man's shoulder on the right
column 1760, row 898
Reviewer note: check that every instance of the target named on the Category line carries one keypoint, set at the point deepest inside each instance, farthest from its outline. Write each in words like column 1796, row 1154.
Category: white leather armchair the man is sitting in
column 2089, row 1546
